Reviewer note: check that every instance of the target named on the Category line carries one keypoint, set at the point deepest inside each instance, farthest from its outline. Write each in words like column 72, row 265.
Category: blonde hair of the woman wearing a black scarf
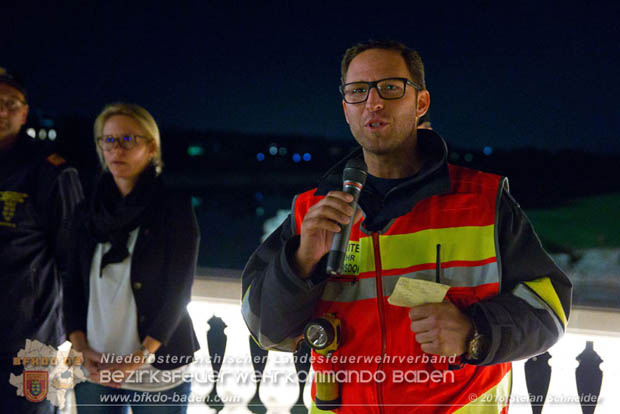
column 138, row 114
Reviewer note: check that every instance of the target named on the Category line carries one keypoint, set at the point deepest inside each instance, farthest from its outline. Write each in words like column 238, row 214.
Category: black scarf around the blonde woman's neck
column 112, row 217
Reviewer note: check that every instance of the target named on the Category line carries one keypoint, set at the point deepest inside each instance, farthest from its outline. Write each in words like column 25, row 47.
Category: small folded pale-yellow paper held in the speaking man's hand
column 412, row 292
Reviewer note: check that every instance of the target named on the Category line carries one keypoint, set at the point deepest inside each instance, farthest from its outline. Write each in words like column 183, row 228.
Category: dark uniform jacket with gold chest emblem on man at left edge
column 38, row 193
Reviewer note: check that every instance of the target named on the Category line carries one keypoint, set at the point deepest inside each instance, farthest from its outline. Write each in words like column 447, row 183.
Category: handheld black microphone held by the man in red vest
column 354, row 178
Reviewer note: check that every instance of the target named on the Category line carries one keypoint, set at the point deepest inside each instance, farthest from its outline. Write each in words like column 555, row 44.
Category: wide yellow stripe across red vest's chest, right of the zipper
column 468, row 243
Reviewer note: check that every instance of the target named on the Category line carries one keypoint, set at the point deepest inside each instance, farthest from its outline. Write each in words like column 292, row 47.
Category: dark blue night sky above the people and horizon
column 501, row 75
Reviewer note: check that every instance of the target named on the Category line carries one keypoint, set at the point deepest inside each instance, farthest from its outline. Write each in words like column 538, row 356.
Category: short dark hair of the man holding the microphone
column 411, row 57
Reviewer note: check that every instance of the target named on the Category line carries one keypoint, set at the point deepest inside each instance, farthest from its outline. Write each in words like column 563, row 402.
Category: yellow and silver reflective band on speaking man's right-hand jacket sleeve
column 540, row 294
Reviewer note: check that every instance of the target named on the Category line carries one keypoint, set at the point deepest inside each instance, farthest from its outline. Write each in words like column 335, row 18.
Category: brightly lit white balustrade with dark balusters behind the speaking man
column 580, row 373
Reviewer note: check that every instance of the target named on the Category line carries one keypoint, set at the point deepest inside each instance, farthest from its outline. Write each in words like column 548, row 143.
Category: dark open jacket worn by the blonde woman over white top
column 163, row 265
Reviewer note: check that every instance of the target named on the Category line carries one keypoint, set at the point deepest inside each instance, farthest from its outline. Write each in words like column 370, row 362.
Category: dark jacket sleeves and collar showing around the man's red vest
column 277, row 303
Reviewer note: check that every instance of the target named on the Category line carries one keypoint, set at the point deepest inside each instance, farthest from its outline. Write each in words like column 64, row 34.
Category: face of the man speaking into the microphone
column 382, row 126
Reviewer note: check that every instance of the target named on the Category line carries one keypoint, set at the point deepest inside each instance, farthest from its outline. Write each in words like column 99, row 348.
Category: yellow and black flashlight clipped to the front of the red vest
column 323, row 335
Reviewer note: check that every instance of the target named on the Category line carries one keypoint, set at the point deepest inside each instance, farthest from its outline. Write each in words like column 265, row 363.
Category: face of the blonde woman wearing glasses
column 127, row 163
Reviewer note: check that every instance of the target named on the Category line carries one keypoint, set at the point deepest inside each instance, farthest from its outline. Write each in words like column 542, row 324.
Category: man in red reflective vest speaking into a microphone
column 422, row 221
